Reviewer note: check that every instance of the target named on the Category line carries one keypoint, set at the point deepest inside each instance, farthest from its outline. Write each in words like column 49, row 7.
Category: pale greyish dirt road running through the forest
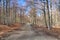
column 28, row 35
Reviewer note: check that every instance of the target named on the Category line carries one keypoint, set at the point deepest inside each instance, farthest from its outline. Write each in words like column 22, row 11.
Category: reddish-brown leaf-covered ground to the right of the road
column 53, row 32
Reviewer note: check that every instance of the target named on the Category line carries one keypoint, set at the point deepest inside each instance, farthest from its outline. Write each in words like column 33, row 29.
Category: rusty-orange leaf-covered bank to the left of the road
column 4, row 28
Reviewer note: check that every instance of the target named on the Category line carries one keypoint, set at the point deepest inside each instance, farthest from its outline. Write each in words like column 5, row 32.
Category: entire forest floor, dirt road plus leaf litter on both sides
column 14, row 32
